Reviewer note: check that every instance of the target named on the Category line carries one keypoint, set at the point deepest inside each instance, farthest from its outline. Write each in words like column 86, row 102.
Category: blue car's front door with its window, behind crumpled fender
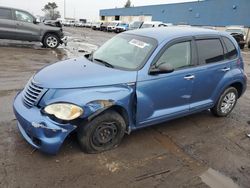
column 165, row 96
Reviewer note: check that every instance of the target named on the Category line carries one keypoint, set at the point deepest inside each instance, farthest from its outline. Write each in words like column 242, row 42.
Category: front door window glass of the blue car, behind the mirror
column 177, row 55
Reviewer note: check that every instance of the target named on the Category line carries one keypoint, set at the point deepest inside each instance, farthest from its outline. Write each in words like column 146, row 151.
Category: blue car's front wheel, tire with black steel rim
column 103, row 133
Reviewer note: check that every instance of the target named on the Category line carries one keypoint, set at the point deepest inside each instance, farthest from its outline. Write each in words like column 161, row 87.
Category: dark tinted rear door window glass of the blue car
column 210, row 51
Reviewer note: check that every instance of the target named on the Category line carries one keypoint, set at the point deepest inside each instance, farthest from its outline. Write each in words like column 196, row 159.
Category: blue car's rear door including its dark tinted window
column 213, row 67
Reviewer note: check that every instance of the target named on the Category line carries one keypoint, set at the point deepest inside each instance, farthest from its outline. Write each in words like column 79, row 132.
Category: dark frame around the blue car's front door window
column 193, row 55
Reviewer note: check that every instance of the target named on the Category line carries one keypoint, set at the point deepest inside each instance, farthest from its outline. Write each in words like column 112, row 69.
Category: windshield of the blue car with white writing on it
column 125, row 51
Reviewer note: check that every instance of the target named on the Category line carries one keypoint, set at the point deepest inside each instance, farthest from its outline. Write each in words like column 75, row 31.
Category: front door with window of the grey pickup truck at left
column 26, row 29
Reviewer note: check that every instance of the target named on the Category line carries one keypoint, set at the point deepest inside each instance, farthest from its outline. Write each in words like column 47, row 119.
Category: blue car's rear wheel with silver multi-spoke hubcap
column 226, row 102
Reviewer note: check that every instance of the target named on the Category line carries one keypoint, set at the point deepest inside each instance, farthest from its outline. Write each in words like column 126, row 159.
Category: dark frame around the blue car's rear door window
column 209, row 37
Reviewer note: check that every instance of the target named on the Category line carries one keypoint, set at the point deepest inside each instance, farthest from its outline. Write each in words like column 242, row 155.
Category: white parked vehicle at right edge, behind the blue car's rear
column 238, row 32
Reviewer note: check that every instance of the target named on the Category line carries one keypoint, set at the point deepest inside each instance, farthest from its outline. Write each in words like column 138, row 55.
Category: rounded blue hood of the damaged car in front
column 80, row 72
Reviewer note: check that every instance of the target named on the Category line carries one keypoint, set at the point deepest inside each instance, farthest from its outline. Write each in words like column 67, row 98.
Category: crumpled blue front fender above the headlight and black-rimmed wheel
column 95, row 100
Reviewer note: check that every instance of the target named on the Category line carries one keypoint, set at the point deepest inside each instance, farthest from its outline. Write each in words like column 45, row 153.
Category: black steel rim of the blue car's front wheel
column 104, row 134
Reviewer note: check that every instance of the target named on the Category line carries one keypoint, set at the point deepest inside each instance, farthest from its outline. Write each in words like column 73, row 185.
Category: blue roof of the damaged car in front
column 163, row 33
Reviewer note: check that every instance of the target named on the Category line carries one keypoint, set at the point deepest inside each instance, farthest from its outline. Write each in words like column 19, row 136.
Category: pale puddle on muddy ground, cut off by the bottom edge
column 215, row 179
